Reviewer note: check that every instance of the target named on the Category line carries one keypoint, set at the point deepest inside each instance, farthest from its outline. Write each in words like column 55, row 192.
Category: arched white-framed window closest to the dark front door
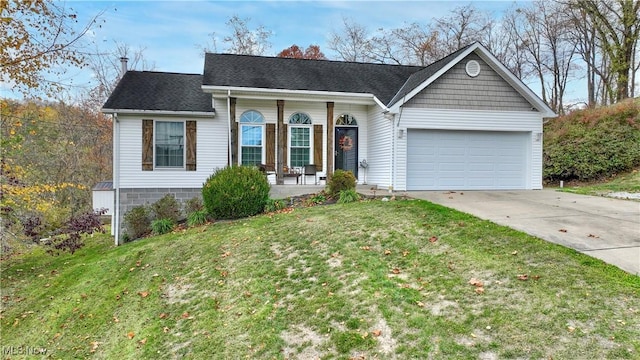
column 300, row 140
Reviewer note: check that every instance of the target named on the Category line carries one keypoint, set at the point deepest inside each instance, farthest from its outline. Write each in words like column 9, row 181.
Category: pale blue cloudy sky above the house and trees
column 173, row 33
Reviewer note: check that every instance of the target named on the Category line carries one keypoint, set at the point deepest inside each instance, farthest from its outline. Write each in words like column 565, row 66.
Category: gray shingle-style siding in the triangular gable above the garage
column 457, row 90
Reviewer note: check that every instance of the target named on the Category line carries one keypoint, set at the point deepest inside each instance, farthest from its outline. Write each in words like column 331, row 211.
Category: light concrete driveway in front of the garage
column 607, row 229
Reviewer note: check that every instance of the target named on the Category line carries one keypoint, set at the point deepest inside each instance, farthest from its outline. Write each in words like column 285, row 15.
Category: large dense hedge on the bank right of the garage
column 593, row 144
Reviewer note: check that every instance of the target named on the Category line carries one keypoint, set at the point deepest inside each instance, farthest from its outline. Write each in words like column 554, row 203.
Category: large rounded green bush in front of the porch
column 235, row 192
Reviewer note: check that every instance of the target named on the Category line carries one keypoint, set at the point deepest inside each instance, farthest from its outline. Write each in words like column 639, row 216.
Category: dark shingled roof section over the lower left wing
column 148, row 90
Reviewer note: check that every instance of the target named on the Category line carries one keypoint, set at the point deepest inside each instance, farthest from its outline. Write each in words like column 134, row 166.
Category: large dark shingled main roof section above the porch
column 261, row 72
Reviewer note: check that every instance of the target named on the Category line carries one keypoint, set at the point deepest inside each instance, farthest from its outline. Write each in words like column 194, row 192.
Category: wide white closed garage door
column 466, row 160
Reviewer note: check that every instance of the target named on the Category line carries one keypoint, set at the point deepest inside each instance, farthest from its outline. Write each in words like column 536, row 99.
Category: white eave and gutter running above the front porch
column 291, row 95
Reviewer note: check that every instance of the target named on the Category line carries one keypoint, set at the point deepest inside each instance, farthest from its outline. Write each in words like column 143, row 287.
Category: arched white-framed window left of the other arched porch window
column 251, row 138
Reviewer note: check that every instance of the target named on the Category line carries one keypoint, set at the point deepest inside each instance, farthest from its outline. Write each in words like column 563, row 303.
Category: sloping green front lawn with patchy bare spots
column 399, row 279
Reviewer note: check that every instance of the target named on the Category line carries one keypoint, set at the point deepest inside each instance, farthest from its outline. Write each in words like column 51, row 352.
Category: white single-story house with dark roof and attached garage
column 462, row 123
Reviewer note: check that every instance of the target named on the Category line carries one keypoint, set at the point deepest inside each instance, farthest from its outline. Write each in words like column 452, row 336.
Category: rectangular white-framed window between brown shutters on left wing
column 169, row 144
